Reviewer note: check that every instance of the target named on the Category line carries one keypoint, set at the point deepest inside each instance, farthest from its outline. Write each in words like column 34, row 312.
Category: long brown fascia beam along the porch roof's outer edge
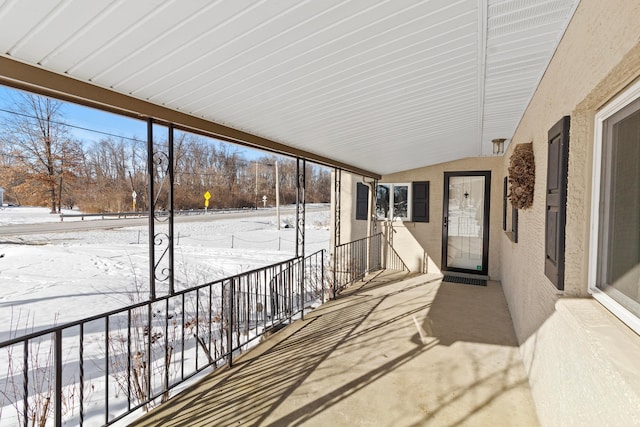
column 27, row 77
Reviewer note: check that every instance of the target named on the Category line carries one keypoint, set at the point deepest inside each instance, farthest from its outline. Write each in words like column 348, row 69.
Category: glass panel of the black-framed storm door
column 465, row 222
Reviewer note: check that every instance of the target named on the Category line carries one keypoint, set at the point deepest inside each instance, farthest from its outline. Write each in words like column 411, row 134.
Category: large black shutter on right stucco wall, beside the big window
column 556, row 204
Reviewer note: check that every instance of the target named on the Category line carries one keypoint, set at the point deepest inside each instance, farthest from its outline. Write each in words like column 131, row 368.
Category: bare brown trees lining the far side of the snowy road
column 42, row 164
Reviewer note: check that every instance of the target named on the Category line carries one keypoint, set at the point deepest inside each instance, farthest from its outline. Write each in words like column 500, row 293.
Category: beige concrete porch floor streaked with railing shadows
column 394, row 350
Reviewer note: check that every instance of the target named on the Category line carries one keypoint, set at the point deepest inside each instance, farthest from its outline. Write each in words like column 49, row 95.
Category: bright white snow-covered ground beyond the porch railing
column 55, row 278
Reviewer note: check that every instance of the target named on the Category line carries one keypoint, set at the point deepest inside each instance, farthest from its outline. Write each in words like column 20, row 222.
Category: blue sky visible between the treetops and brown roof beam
column 89, row 124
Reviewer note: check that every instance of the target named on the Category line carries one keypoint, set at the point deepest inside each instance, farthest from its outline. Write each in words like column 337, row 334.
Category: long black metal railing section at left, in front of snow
column 107, row 366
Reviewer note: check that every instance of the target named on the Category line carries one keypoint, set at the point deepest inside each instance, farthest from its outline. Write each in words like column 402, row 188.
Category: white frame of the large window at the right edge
column 632, row 94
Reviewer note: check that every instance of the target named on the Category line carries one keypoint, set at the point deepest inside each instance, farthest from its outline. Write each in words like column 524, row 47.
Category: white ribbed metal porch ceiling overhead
column 385, row 86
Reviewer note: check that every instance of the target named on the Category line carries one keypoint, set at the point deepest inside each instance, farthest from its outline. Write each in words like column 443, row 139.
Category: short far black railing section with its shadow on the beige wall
column 353, row 260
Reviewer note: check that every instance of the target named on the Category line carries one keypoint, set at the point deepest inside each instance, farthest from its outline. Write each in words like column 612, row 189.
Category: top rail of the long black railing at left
column 75, row 323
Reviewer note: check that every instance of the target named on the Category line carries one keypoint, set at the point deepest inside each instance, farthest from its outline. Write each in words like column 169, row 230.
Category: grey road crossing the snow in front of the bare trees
column 102, row 224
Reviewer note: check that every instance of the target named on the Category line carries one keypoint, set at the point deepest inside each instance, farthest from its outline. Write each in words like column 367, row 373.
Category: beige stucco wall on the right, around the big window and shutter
column 579, row 372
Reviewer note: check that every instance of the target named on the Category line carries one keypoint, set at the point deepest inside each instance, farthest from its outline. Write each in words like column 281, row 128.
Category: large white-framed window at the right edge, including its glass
column 614, row 274
